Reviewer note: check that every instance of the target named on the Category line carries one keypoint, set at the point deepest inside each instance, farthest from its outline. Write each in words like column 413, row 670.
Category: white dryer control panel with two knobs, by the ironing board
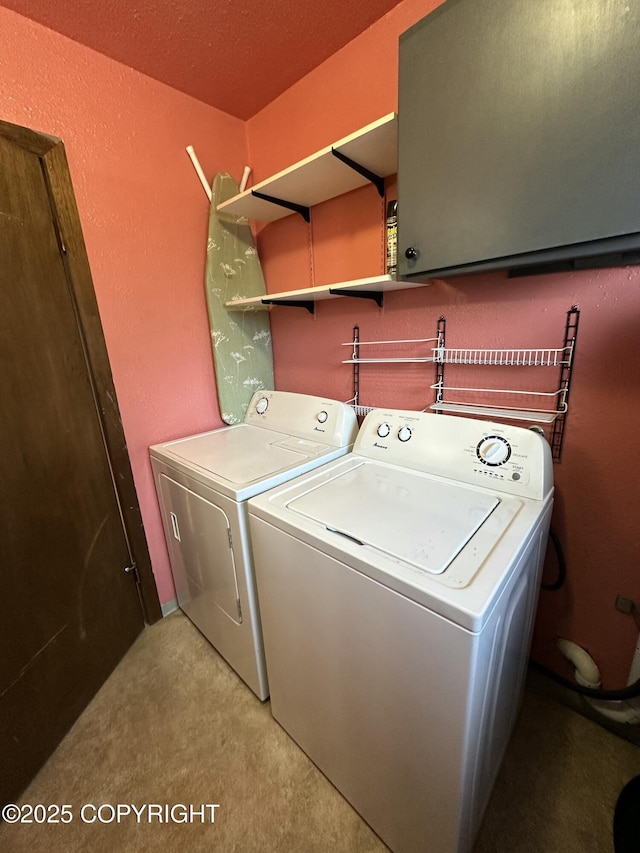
column 305, row 416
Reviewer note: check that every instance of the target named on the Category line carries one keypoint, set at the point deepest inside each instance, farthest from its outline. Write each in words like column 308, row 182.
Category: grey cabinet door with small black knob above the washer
column 519, row 134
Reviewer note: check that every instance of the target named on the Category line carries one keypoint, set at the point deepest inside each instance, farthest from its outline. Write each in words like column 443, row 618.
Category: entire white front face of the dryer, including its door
column 236, row 635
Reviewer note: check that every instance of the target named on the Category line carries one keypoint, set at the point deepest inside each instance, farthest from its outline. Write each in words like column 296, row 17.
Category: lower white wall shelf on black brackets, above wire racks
column 360, row 287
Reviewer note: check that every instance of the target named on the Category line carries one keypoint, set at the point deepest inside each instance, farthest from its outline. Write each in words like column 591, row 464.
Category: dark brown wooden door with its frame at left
column 69, row 609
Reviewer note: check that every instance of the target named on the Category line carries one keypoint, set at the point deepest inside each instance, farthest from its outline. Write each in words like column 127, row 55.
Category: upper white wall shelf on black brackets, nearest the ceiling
column 323, row 175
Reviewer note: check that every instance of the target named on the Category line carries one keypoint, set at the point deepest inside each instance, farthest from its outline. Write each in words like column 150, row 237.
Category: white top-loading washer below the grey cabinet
column 398, row 589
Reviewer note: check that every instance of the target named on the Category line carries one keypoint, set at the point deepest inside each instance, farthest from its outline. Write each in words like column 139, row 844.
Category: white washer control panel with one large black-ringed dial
column 506, row 458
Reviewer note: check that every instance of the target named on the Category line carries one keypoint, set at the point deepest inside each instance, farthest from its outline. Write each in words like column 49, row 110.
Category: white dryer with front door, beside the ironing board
column 203, row 483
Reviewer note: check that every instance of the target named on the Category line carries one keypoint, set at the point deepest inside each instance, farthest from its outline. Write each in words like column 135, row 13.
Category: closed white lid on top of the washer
column 406, row 515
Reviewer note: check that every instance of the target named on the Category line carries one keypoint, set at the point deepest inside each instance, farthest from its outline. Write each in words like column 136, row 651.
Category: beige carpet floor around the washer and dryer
column 174, row 725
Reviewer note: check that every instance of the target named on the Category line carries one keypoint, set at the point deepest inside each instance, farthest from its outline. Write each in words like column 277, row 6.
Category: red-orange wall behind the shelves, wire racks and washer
column 597, row 480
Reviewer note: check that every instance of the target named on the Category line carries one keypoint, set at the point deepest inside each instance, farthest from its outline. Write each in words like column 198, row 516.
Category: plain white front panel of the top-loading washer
column 373, row 687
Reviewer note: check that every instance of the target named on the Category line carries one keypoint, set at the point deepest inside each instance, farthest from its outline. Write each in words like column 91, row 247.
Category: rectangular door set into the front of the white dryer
column 199, row 540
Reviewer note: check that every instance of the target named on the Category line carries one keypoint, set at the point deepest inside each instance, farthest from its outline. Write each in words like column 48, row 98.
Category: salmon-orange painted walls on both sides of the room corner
column 144, row 217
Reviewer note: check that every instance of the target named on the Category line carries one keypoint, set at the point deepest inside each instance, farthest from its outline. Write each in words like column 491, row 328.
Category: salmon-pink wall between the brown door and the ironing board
column 144, row 216
